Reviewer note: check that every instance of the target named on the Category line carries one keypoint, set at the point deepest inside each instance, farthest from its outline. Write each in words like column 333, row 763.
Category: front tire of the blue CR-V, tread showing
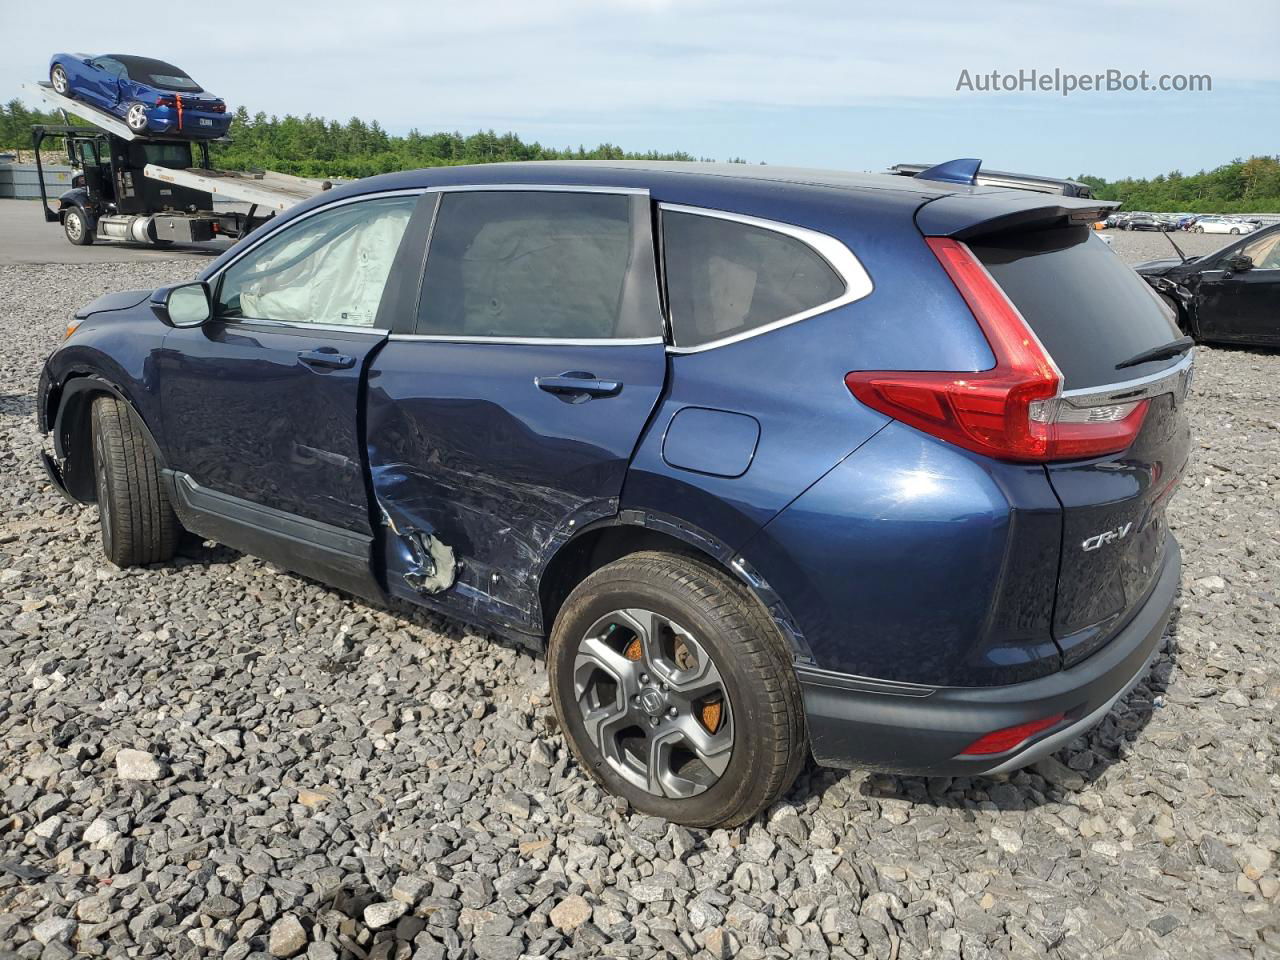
column 139, row 524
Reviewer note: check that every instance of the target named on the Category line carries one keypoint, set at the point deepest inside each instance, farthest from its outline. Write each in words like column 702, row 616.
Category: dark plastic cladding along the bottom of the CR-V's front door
column 323, row 552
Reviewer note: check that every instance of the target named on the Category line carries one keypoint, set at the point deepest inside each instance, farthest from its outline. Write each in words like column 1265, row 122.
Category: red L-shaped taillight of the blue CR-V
column 1012, row 412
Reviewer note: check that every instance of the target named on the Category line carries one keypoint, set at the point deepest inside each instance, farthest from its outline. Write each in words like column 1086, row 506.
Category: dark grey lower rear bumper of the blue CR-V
column 921, row 730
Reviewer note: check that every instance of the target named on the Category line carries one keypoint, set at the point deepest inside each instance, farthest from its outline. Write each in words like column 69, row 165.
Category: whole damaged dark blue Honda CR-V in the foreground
column 775, row 461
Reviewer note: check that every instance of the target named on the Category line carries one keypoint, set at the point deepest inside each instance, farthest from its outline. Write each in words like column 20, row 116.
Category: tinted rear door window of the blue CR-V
column 527, row 264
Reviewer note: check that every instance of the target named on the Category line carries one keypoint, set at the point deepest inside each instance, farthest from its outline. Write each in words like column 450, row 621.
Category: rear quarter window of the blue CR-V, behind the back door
column 728, row 278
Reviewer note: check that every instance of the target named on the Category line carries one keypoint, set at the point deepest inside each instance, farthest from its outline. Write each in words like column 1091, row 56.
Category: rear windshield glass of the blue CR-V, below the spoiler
column 1089, row 309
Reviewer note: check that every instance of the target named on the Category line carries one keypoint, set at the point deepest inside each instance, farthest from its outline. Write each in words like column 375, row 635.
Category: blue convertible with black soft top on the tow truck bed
column 152, row 97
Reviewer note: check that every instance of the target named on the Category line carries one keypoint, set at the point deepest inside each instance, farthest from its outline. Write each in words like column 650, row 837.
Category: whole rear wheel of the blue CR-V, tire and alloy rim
column 676, row 692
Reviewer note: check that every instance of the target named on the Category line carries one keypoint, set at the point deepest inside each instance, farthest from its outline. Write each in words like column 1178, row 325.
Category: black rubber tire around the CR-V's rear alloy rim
column 770, row 744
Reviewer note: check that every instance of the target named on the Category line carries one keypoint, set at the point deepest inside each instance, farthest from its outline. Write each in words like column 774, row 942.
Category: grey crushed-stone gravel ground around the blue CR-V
column 217, row 758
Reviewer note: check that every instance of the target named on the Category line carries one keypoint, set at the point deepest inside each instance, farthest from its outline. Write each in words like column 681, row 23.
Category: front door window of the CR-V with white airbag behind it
column 330, row 268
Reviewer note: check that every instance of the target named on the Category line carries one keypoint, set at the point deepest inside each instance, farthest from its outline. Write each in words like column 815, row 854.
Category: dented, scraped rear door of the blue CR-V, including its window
column 509, row 419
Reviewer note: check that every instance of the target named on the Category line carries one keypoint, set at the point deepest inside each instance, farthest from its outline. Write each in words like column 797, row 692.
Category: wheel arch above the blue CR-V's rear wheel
column 634, row 532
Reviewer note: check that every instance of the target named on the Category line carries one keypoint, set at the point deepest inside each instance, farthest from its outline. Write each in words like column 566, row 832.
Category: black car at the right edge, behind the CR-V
column 1229, row 296
